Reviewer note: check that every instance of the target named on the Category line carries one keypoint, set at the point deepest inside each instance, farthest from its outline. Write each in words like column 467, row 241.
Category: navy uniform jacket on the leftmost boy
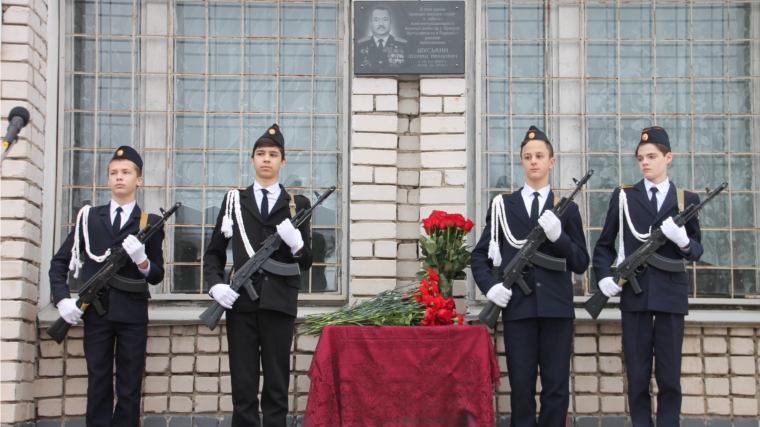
column 127, row 307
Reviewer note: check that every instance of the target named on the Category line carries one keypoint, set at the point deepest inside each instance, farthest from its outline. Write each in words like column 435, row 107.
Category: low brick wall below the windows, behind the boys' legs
column 188, row 374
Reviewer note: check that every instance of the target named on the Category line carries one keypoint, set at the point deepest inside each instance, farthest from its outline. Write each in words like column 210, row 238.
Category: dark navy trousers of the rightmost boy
column 647, row 334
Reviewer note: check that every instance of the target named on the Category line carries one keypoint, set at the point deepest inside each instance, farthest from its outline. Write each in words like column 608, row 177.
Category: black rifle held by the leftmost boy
column 97, row 286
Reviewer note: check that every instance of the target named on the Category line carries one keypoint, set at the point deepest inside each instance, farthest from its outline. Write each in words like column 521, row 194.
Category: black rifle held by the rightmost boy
column 635, row 264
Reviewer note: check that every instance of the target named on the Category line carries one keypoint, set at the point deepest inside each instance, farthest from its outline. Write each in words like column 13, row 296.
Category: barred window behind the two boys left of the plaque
column 192, row 85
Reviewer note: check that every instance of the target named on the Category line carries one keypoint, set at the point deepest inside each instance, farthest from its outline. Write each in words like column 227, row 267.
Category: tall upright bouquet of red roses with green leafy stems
column 444, row 249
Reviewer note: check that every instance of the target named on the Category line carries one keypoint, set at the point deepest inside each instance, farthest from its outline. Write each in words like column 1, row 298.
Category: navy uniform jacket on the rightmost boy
column 662, row 291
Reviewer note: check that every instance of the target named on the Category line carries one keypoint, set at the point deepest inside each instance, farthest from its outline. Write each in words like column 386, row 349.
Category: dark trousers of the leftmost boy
column 104, row 339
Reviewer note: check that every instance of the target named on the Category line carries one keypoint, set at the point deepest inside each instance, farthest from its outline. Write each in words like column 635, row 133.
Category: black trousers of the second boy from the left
column 260, row 337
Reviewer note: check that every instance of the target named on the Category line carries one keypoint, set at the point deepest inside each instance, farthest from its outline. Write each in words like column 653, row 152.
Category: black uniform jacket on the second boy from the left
column 278, row 293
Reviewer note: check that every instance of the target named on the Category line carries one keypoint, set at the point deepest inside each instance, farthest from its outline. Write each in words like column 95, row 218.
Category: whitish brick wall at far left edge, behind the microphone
column 22, row 83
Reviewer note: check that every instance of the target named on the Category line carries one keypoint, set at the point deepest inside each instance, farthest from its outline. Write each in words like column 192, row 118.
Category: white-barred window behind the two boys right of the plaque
column 594, row 74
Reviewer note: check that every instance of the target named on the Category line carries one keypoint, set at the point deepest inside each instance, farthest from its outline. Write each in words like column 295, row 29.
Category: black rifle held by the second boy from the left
column 243, row 277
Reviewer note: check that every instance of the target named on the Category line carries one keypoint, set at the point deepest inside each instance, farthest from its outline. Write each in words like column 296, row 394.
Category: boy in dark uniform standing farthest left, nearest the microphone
column 123, row 331
